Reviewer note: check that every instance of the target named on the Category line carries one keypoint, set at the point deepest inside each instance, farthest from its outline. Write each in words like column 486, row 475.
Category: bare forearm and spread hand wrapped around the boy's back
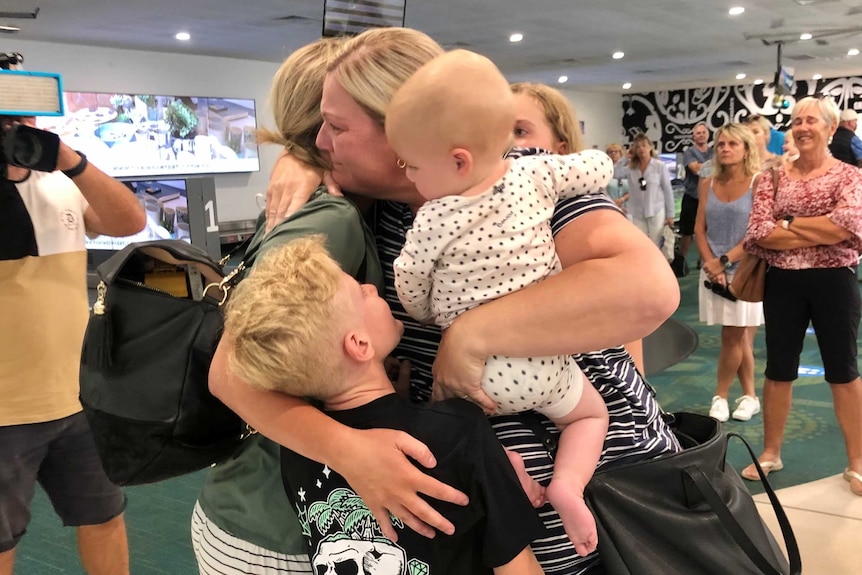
column 374, row 462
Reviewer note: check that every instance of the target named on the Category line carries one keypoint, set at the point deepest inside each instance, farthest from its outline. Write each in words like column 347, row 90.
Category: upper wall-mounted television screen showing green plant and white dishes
column 143, row 135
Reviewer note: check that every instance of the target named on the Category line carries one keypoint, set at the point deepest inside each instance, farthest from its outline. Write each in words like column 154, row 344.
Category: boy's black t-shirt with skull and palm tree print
column 495, row 527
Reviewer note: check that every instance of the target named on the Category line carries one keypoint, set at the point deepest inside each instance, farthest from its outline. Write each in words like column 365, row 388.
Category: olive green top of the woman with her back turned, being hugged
column 245, row 495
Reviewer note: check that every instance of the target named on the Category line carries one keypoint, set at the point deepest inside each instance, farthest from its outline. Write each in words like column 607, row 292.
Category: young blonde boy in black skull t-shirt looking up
column 302, row 326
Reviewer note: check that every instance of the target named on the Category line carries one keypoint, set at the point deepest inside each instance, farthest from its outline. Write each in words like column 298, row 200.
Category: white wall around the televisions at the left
column 85, row 69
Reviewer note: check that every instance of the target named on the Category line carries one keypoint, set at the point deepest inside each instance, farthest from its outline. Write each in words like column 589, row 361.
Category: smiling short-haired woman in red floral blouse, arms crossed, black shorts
column 809, row 231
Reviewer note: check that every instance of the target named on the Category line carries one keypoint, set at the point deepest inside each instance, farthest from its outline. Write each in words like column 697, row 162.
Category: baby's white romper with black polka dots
column 464, row 251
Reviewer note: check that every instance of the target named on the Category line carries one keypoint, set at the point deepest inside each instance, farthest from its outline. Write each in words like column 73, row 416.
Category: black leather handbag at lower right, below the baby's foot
column 687, row 512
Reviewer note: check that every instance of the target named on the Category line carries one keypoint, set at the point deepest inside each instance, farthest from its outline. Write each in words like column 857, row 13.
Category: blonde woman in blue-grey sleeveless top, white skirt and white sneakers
column 722, row 216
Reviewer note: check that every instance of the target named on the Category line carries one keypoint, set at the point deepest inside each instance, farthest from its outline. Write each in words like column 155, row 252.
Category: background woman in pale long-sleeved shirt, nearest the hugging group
column 651, row 205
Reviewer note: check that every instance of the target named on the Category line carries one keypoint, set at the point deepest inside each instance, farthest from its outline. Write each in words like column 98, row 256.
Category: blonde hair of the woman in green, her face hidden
column 295, row 100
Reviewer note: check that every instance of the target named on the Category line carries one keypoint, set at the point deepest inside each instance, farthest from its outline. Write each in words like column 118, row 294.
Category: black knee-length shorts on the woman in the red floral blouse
column 829, row 299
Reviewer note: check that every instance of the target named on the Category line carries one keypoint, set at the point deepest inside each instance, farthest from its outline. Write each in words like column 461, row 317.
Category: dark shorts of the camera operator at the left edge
column 62, row 457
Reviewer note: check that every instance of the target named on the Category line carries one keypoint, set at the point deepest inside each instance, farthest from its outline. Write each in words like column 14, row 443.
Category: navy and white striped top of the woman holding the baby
column 635, row 429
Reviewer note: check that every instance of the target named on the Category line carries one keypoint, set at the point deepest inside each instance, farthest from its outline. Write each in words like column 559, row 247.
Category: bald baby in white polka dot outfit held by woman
column 485, row 232
